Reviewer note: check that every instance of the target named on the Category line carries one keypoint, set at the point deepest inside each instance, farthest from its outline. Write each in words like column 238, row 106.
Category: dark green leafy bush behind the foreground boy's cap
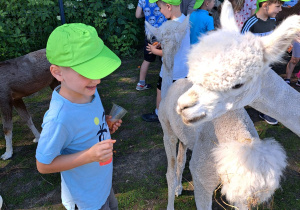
column 25, row 25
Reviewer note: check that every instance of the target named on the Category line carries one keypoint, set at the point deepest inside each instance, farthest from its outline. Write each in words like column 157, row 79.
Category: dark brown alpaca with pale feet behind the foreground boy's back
column 22, row 77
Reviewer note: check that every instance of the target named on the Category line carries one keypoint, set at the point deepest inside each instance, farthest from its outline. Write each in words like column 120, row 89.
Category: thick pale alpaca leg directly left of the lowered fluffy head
column 204, row 176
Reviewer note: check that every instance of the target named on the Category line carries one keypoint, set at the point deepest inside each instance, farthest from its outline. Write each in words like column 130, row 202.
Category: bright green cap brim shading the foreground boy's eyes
column 100, row 66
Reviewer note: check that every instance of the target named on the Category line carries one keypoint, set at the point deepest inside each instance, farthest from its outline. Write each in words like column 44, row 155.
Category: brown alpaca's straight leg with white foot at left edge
column 6, row 112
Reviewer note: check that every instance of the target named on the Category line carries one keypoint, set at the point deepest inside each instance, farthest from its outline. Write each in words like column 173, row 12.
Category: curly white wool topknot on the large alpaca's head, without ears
column 224, row 59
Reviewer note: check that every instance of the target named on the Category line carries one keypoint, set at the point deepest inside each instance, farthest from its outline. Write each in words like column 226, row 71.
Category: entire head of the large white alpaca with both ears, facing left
column 226, row 67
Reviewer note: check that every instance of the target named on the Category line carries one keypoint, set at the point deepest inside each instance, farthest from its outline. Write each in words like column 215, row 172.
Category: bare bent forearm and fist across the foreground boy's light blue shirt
column 100, row 152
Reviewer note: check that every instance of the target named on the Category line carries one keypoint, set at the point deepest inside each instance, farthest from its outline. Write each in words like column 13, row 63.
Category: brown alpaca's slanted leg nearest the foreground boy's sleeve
column 22, row 111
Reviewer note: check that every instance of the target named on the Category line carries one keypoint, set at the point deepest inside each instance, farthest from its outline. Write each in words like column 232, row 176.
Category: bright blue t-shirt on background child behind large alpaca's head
column 201, row 23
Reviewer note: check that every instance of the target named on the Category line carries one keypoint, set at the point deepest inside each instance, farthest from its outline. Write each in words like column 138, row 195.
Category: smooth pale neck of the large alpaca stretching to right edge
column 279, row 100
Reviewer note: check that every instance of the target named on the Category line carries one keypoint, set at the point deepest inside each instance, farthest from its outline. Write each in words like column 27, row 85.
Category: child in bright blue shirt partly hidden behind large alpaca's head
column 200, row 20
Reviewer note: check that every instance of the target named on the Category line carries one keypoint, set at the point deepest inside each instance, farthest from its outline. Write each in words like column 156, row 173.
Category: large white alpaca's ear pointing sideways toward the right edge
column 279, row 40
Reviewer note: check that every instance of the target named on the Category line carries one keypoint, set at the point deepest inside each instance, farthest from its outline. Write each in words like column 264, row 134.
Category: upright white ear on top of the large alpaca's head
column 227, row 18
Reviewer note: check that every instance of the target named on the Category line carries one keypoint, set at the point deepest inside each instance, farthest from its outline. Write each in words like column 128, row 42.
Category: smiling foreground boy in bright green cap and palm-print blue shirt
column 75, row 135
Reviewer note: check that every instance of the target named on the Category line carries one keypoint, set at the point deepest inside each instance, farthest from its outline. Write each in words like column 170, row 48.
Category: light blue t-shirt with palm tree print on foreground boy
column 70, row 128
